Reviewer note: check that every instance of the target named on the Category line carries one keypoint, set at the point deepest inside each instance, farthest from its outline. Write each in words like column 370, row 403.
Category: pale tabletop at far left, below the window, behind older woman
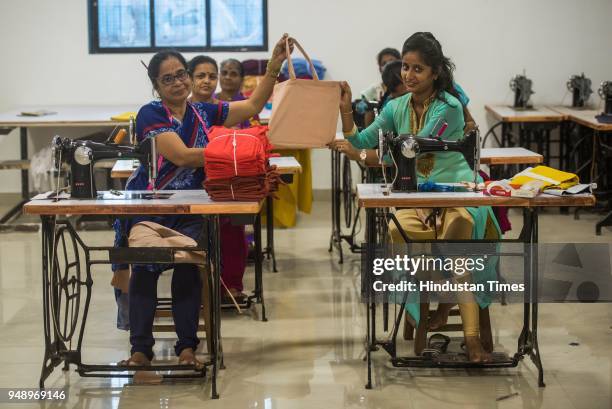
column 66, row 116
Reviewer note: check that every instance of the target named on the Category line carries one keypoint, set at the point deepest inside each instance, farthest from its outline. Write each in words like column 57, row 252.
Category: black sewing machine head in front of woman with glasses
column 81, row 156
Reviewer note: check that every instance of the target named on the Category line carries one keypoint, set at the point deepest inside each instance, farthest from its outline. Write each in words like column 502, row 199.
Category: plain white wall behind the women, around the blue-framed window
column 45, row 59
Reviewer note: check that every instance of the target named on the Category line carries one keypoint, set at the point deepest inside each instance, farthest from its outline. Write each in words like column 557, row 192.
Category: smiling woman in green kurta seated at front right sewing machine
column 431, row 101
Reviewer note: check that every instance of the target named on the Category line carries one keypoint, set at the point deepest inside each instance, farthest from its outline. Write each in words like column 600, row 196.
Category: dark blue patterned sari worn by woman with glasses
column 154, row 119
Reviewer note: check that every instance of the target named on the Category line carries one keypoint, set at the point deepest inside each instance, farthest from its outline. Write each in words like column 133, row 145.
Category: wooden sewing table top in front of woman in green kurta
column 371, row 196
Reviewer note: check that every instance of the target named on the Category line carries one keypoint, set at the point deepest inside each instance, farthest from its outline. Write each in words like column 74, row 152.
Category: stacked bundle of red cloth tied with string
column 236, row 164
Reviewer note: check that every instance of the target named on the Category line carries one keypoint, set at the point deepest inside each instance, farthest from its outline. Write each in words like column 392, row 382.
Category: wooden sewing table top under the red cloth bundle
column 181, row 202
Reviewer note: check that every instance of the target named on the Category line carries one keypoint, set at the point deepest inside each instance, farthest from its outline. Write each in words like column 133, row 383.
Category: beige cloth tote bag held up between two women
column 304, row 112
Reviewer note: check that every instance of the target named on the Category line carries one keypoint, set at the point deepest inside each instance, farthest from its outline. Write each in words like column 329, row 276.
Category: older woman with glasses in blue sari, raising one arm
column 180, row 128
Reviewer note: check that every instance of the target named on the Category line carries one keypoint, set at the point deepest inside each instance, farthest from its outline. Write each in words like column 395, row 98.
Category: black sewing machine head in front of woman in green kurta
column 405, row 148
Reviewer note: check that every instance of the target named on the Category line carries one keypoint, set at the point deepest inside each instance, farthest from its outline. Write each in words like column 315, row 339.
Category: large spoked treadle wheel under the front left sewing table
column 66, row 282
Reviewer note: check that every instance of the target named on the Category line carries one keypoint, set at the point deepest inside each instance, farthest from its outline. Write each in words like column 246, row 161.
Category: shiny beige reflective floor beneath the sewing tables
column 310, row 353
